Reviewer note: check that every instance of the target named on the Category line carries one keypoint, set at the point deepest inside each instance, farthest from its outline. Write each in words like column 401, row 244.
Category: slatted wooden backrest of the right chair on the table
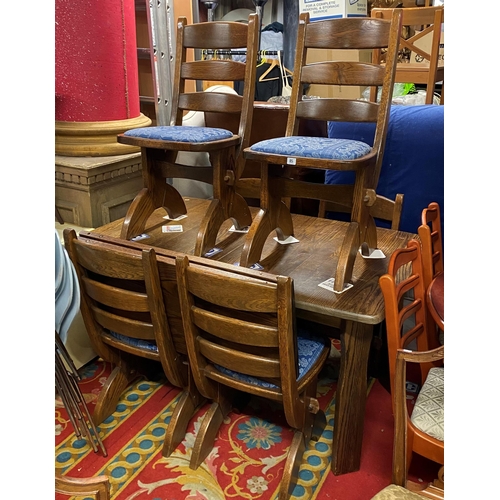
column 340, row 34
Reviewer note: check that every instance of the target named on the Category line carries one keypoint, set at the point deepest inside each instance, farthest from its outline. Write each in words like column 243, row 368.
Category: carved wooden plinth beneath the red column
column 91, row 191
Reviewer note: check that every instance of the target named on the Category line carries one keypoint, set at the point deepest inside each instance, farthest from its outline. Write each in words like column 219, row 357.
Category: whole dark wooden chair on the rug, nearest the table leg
column 240, row 334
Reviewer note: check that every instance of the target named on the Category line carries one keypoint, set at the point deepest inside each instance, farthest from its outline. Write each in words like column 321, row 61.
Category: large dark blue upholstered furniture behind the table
column 413, row 159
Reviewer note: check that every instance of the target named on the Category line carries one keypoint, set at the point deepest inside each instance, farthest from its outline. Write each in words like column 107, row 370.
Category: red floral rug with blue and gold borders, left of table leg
column 246, row 461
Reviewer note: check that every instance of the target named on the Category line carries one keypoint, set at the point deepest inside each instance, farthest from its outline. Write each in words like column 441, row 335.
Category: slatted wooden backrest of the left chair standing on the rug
column 121, row 304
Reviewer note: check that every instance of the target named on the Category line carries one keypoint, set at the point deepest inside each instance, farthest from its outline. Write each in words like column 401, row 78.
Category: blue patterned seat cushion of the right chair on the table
column 313, row 147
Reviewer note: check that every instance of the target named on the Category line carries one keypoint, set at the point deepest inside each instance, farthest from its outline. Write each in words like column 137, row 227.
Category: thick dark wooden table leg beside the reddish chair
column 350, row 400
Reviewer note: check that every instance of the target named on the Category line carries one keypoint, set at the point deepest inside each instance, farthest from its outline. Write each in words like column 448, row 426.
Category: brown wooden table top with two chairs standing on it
column 309, row 262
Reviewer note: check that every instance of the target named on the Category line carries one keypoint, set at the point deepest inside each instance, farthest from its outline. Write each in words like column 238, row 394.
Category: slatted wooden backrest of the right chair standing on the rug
column 245, row 325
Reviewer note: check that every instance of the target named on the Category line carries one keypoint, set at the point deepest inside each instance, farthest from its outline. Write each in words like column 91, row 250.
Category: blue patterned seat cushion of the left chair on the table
column 180, row 133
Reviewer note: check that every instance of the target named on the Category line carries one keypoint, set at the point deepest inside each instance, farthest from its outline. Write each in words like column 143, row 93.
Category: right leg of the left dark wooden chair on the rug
column 185, row 409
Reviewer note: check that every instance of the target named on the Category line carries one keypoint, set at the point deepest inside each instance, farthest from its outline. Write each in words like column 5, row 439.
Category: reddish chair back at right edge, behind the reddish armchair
column 430, row 235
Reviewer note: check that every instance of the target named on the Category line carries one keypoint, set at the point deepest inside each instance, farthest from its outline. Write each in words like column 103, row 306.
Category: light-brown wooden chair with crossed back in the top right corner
column 419, row 46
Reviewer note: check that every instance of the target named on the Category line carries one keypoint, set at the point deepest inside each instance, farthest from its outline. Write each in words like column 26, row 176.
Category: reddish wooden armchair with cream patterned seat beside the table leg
column 406, row 323
